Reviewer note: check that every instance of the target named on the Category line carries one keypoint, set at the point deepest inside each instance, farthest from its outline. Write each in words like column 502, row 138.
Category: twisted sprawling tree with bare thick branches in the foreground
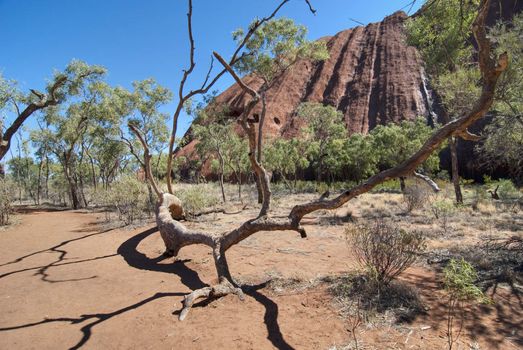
column 170, row 209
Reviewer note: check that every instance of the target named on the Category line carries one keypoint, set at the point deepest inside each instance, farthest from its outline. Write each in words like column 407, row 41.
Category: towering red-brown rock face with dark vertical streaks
column 372, row 77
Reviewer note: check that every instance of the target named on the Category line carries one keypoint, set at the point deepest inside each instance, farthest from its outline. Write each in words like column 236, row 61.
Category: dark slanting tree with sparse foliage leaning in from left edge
column 21, row 105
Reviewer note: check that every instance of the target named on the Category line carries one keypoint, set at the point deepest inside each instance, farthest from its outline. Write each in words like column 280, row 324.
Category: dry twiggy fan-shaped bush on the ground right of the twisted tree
column 385, row 250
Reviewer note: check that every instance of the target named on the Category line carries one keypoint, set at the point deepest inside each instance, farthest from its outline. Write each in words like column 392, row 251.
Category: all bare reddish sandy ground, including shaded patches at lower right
column 66, row 284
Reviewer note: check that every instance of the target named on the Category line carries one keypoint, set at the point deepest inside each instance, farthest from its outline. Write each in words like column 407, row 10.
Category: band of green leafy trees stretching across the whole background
column 90, row 133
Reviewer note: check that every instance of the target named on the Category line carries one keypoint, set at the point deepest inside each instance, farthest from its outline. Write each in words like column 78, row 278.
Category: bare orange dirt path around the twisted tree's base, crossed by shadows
column 67, row 285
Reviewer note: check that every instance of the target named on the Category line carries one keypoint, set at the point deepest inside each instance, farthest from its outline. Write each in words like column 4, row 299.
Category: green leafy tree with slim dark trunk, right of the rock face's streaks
column 442, row 33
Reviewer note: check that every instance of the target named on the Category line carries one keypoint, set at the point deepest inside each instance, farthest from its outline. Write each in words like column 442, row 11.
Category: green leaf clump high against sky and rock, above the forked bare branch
column 275, row 47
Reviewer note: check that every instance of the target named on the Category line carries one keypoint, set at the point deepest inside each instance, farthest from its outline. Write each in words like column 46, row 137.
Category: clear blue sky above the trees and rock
column 138, row 39
